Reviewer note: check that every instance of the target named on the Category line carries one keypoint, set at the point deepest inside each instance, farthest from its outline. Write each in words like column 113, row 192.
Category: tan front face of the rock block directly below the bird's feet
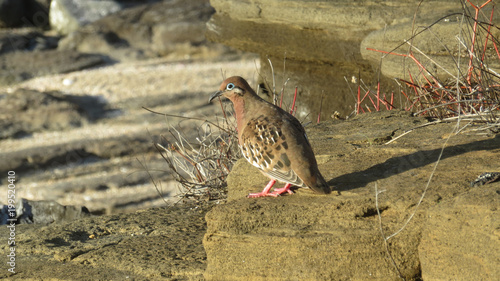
column 301, row 237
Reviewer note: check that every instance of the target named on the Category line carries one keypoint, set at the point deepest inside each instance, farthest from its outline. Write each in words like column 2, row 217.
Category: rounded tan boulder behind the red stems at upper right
column 441, row 49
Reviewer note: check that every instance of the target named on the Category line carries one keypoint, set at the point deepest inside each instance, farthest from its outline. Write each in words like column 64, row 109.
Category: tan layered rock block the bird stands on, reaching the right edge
column 313, row 237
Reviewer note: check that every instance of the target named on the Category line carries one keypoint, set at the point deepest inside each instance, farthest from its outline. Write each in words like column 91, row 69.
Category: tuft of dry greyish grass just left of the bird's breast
column 201, row 164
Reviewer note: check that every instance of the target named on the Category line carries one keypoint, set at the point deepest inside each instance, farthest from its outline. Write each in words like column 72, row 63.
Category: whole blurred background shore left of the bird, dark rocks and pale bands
column 73, row 127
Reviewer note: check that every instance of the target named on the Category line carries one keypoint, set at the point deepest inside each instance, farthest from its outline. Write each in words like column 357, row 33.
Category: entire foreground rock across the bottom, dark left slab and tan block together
column 454, row 231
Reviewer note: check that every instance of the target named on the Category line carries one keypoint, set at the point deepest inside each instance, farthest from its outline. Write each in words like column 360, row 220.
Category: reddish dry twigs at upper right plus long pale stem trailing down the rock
column 472, row 95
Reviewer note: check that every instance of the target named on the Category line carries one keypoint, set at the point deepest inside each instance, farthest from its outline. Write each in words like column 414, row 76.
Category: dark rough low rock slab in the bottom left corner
column 154, row 244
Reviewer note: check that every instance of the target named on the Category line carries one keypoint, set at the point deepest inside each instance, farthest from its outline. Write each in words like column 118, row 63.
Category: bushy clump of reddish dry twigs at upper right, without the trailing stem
column 472, row 94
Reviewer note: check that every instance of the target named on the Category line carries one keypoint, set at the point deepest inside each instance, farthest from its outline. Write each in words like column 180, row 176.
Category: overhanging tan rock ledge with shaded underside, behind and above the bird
column 321, row 41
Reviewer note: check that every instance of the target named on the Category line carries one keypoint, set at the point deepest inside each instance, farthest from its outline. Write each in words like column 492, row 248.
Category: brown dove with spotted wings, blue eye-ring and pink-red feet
column 272, row 140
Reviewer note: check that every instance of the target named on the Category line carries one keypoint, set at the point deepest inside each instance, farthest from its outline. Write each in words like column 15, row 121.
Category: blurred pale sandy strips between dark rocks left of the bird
column 179, row 87
